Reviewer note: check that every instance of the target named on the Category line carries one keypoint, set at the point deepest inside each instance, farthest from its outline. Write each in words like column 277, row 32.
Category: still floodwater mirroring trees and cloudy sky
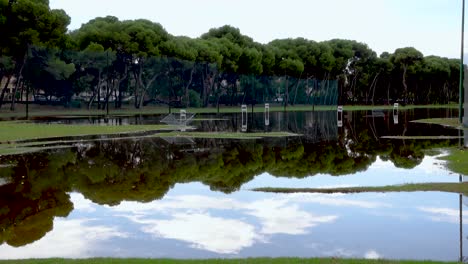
column 161, row 197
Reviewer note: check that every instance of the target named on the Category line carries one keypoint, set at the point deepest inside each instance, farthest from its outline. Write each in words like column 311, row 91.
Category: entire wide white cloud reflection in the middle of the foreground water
column 190, row 220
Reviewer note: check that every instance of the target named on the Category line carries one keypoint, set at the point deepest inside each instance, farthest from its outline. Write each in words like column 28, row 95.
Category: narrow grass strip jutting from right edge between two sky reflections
column 420, row 187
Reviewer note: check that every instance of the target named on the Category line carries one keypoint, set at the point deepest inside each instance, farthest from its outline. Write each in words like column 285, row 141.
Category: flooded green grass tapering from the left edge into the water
column 19, row 137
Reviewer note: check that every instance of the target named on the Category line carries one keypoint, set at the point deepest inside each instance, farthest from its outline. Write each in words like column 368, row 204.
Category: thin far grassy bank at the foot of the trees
column 41, row 111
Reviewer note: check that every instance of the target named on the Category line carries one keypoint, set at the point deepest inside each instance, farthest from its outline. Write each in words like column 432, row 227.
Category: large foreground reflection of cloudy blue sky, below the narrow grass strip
column 192, row 222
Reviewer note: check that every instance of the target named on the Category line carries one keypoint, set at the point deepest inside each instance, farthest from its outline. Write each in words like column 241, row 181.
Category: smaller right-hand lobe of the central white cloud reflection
column 277, row 217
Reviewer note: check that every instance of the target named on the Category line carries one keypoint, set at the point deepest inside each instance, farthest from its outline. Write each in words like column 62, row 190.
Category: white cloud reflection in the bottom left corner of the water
column 69, row 239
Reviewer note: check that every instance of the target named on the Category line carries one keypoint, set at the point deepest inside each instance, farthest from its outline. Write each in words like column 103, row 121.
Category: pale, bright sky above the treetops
column 431, row 26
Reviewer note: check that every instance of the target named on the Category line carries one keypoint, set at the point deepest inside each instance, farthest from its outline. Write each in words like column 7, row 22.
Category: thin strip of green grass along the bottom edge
column 216, row 261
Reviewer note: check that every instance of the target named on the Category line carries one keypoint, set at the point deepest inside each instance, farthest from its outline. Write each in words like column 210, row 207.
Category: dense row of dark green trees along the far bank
column 108, row 60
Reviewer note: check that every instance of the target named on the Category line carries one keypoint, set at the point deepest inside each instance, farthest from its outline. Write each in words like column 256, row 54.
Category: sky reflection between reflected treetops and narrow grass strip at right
column 380, row 173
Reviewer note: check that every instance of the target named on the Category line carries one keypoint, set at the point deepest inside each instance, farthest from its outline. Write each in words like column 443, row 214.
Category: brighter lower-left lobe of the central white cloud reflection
column 216, row 234
